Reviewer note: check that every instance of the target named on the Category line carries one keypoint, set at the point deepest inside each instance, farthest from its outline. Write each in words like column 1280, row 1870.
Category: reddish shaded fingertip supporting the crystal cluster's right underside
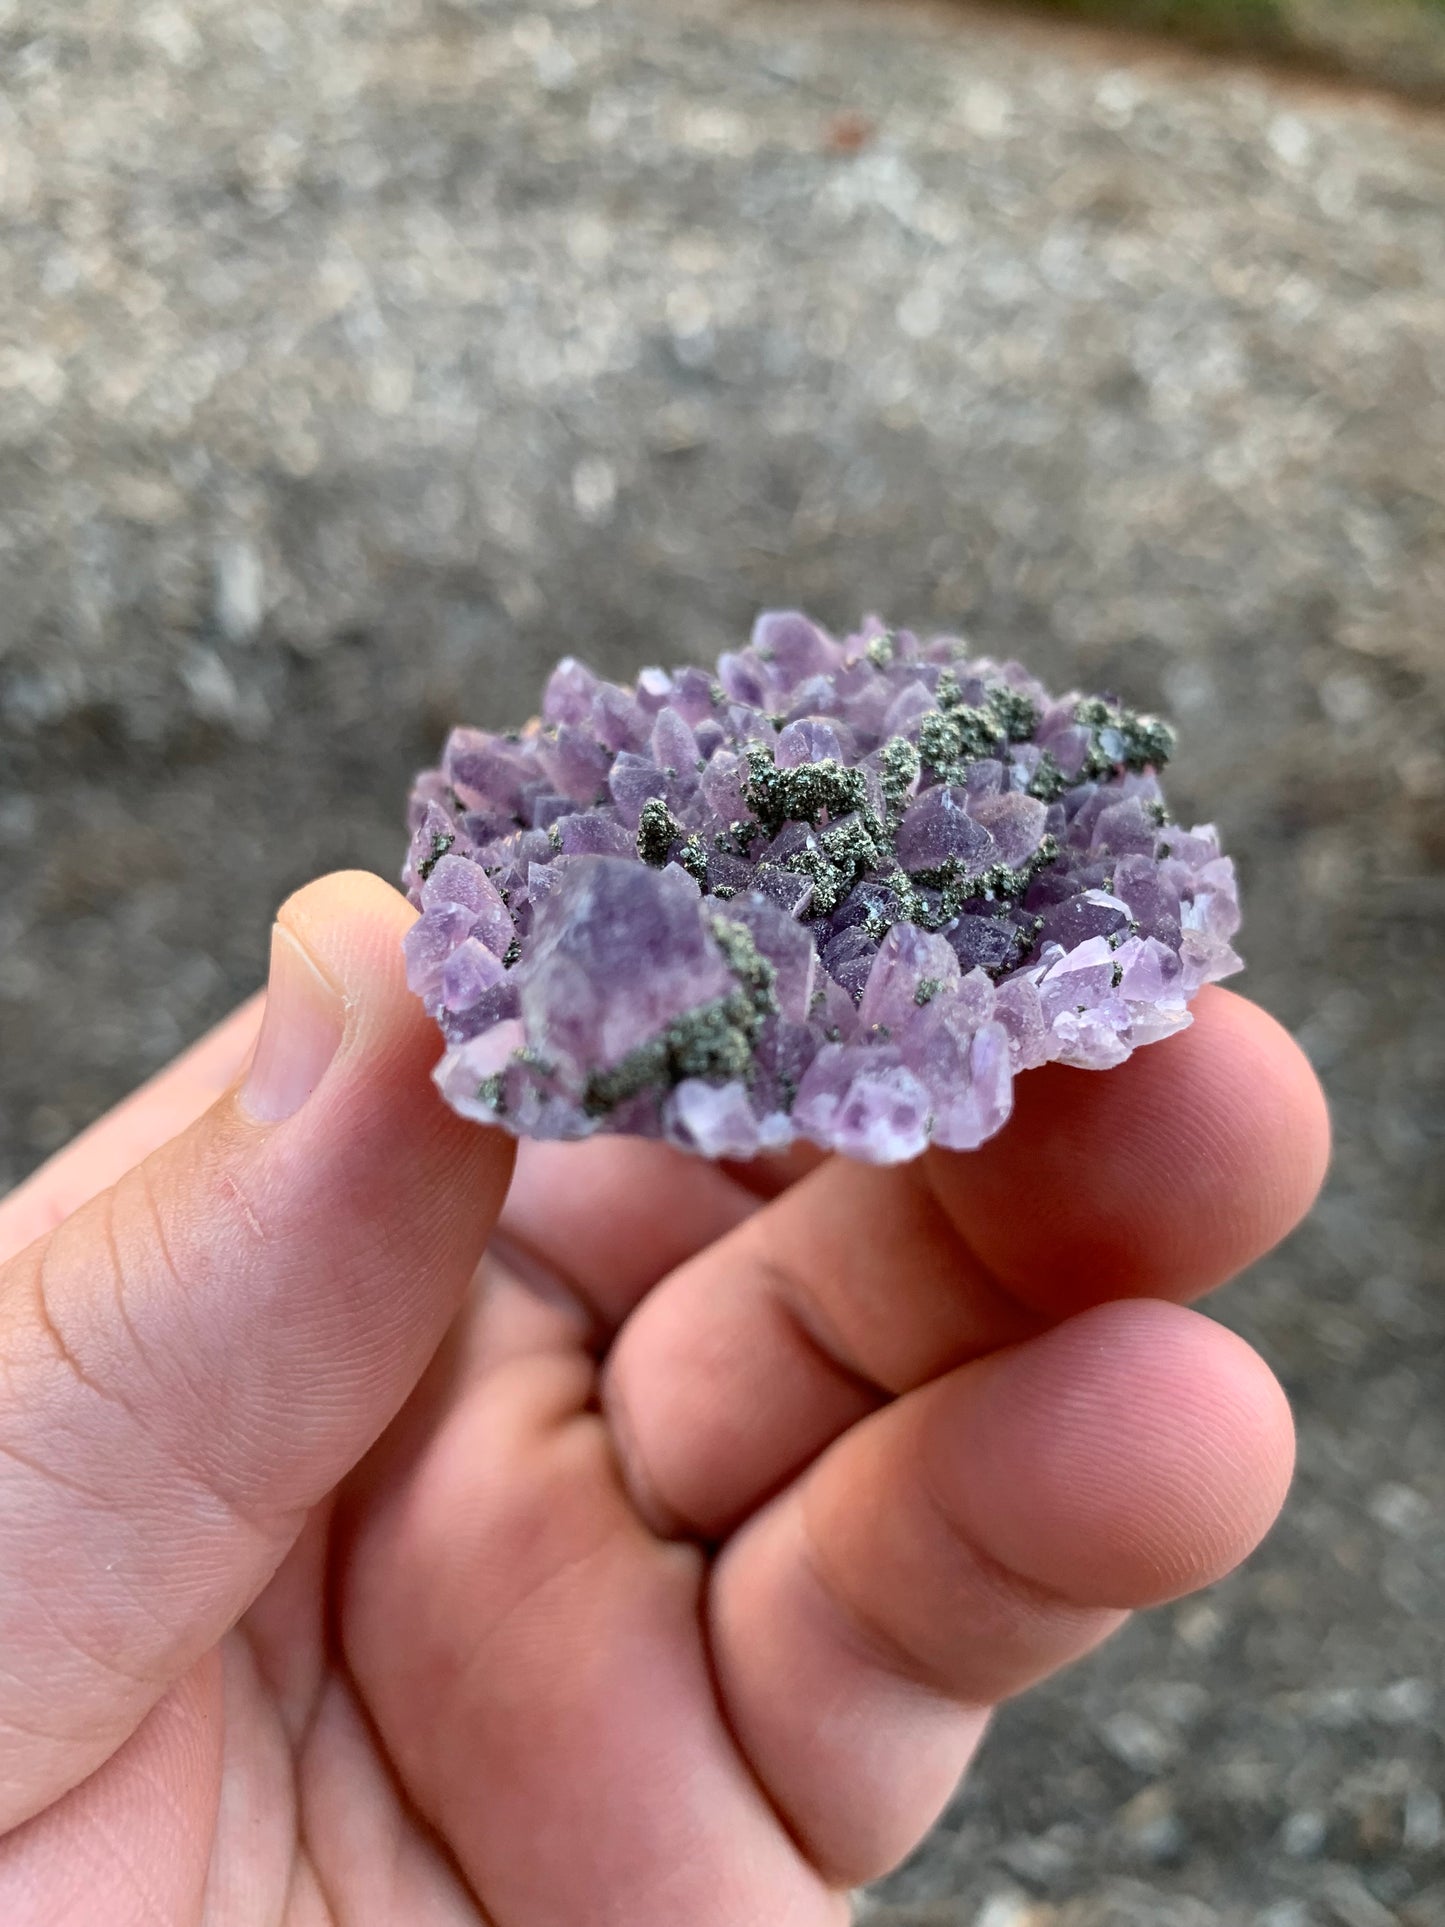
column 1161, row 1178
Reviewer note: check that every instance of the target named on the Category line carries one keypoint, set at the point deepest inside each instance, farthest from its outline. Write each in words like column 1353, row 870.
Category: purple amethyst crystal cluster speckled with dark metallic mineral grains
column 839, row 891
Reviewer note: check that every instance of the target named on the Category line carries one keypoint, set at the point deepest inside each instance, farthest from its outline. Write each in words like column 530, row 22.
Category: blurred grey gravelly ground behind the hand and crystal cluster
column 357, row 357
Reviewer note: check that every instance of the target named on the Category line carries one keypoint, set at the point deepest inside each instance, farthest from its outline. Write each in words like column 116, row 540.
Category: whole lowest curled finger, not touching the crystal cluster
column 974, row 1537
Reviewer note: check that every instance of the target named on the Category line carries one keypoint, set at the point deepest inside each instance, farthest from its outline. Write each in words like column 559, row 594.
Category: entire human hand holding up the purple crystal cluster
column 664, row 1570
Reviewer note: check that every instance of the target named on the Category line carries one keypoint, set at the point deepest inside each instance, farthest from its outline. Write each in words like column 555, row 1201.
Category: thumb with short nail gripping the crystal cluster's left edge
column 197, row 1356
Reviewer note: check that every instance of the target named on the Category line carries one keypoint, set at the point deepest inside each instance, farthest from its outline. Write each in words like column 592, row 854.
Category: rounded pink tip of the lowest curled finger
column 1120, row 1460
